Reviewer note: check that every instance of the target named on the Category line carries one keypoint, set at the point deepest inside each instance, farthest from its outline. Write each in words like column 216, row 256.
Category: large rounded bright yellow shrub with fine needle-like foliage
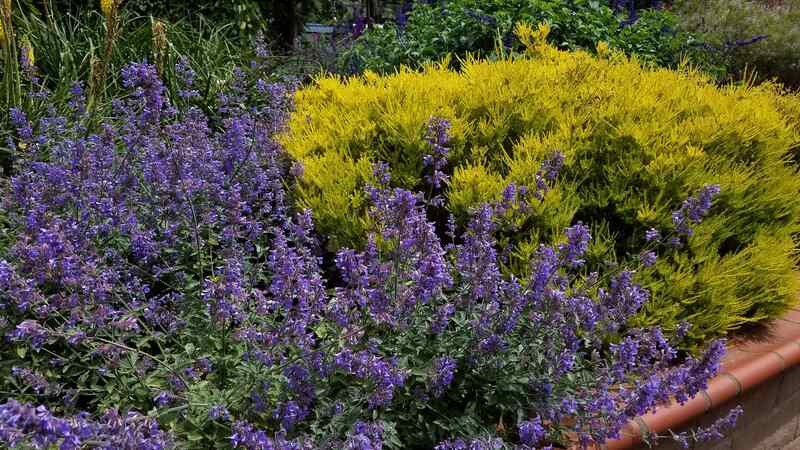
column 636, row 142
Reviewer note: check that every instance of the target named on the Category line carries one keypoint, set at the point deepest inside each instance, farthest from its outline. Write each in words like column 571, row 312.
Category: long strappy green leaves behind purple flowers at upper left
column 67, row 45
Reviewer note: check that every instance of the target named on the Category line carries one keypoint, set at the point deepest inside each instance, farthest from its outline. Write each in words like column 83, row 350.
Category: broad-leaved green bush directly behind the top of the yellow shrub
column 479, row 27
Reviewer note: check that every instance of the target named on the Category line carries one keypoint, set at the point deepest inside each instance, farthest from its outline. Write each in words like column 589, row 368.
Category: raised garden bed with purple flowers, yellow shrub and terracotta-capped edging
column 537, row 250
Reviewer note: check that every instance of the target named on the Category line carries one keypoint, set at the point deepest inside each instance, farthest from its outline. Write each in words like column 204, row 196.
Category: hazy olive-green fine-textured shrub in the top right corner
column 724, row 23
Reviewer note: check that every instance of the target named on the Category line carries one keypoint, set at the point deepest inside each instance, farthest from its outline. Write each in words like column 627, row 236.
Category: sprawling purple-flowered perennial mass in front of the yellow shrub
column 161, row 292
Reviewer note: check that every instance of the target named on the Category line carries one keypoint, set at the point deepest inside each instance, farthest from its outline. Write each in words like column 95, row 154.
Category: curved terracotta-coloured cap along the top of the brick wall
column 748, row 363
